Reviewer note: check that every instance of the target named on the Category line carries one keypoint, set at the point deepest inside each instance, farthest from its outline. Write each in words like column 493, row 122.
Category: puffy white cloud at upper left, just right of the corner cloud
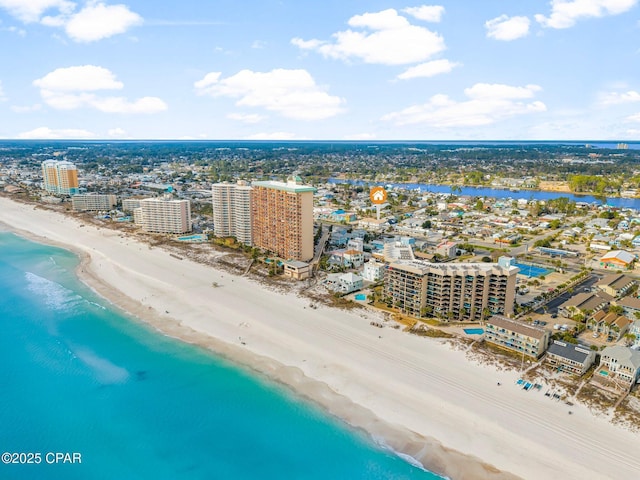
column 97, row 21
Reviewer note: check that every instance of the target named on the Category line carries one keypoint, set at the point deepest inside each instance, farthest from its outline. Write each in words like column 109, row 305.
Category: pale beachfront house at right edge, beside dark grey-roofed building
column 619, row 367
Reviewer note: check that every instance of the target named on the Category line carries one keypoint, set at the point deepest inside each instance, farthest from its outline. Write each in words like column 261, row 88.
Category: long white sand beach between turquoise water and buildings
column 422, row 397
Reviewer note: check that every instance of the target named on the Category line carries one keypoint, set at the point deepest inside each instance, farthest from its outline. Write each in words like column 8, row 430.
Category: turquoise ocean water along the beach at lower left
column 76, row 376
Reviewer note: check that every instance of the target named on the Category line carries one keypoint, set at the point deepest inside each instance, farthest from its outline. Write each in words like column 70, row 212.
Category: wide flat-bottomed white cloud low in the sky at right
column 486, row 104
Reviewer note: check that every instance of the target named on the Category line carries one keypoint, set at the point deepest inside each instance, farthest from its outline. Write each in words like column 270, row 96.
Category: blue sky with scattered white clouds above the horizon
column 320, row 70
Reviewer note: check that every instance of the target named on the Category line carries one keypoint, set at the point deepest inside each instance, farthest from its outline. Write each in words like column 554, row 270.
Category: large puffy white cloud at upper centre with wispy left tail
column 387, row 38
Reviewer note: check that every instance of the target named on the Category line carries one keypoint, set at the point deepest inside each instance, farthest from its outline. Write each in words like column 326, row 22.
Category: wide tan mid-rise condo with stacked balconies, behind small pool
column 456, row 291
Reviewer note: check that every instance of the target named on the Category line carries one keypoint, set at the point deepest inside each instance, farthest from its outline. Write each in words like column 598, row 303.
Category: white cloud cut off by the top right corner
column 565, row 13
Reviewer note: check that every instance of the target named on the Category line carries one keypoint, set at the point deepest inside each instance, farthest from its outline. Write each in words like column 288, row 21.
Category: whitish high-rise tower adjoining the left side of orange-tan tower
column 232, row 211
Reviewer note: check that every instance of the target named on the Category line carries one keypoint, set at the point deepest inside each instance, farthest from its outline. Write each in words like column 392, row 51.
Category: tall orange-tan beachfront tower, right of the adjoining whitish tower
column 282, row 215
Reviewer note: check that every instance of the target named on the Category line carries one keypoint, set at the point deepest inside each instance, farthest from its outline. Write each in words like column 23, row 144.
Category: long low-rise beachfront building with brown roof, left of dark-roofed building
column 517, row 336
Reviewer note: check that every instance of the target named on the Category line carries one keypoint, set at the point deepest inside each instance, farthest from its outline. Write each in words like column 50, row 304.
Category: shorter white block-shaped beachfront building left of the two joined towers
column 163, row 215
